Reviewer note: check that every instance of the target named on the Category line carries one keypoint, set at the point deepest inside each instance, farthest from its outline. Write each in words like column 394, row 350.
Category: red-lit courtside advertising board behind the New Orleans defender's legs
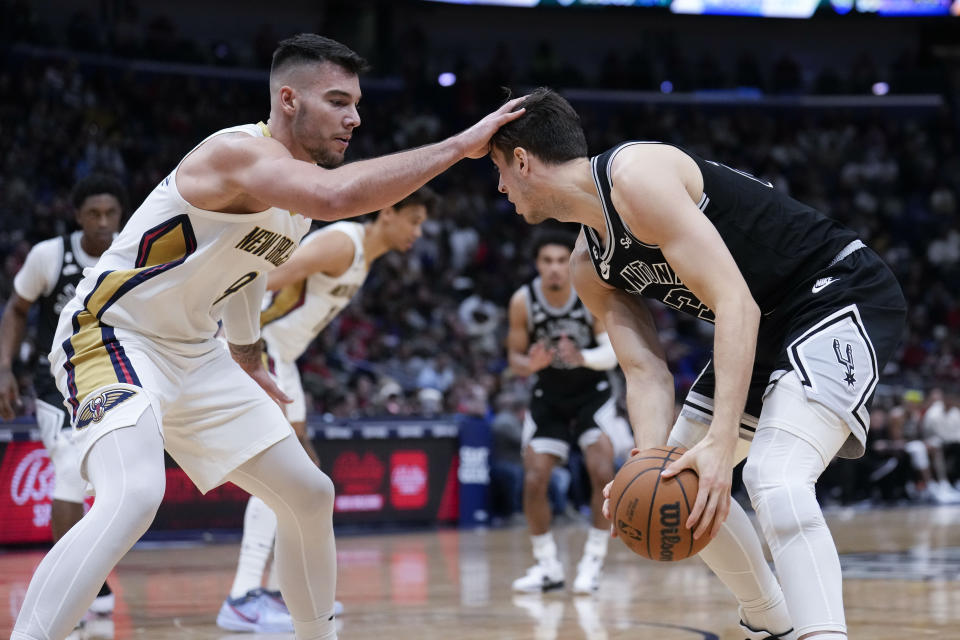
column 384, row 472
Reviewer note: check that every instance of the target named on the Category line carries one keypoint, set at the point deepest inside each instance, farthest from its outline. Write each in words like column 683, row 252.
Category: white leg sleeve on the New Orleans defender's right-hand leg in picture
column 301, row 496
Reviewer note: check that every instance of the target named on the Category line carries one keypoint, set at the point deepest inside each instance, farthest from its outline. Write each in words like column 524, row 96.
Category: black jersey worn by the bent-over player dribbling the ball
column 775, row 240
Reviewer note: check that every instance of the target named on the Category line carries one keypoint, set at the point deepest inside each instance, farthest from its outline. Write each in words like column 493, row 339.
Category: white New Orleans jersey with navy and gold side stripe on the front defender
column 170, row 276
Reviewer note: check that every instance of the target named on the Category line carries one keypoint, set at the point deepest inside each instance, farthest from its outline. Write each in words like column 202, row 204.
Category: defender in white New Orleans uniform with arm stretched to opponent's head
column 135, row 354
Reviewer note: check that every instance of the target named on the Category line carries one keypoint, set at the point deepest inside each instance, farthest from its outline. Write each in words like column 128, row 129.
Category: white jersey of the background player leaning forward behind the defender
column 299, row 311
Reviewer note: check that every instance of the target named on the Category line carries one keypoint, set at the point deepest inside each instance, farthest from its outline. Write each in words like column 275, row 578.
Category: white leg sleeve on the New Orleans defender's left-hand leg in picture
column 125, row 467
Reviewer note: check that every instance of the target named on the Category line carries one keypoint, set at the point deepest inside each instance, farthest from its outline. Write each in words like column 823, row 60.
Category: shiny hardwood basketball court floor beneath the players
column 901, row 568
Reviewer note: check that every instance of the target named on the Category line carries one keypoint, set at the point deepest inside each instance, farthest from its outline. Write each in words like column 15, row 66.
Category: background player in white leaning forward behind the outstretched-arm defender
column 310, row 289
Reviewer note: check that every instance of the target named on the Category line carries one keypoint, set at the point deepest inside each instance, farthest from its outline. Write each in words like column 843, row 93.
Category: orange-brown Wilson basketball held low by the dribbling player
column 650, row 512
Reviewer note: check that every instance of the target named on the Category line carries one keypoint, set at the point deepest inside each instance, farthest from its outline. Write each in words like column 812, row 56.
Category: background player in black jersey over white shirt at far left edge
column 49, row 277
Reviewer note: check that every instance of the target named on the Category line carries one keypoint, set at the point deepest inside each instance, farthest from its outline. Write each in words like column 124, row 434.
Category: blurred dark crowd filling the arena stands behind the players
column 426, row 334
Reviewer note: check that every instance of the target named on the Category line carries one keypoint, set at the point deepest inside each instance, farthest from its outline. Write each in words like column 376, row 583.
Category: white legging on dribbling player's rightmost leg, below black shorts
column 780, row 474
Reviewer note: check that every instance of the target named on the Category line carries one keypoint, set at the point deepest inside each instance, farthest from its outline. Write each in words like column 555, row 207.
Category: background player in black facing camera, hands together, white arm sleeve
column 555, row 337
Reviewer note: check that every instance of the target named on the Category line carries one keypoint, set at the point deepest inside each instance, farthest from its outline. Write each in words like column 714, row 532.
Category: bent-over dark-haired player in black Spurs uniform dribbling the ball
column 805, row 317
